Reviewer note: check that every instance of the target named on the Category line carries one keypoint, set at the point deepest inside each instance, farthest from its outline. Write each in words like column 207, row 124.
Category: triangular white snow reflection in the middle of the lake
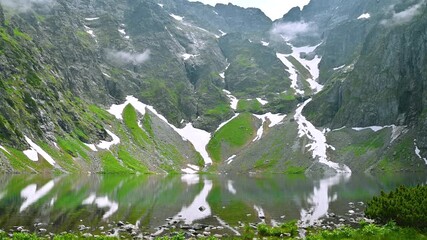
column 199, row 208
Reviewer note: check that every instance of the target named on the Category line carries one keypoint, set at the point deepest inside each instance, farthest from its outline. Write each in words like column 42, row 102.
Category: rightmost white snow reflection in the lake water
column 320, row 199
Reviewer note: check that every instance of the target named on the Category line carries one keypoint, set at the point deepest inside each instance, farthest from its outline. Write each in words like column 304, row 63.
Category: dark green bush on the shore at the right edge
column 407, row 206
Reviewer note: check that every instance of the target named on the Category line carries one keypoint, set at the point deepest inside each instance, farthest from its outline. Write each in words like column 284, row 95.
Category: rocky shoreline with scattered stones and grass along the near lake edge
column 173, row 227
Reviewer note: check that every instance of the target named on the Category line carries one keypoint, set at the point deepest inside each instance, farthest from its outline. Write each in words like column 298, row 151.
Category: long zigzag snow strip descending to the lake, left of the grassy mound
column 199, row 138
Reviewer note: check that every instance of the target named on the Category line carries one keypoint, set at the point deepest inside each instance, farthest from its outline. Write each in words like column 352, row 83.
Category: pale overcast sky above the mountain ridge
column 272, row 8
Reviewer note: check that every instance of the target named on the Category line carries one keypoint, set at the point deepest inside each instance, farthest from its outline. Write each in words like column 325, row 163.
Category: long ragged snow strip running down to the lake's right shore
column 318, row 140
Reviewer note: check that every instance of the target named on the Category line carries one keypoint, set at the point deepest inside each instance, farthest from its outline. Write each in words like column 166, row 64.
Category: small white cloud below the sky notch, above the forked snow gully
column 292, row 30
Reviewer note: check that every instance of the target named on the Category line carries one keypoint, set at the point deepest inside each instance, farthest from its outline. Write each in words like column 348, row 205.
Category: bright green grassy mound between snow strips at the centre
column 235, row 134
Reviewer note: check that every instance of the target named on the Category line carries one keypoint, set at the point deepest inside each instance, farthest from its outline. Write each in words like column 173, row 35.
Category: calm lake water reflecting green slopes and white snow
column 65, row 202
